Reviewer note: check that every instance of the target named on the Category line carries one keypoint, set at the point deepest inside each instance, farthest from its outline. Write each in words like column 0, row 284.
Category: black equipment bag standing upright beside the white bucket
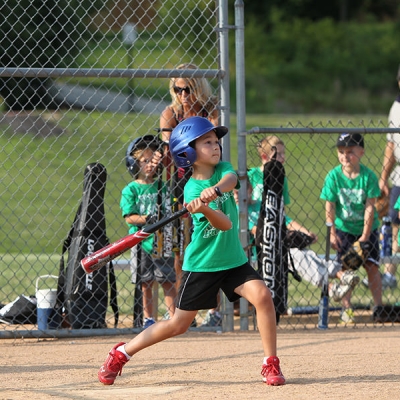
column 84, row 297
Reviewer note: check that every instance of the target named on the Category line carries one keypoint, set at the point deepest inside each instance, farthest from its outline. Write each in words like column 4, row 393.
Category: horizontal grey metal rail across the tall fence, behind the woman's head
column 109, row 73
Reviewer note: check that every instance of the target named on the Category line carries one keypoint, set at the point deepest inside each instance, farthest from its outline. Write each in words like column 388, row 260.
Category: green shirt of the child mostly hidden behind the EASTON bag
column 256, row 178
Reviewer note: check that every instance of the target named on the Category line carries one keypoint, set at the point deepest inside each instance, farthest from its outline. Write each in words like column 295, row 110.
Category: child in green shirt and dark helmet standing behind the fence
column 139, row 204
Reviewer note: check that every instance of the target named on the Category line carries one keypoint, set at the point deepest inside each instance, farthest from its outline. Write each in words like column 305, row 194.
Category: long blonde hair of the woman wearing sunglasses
column 200, row 87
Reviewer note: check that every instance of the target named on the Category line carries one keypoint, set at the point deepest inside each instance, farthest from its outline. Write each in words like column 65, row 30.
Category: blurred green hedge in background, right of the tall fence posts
column 304, row 66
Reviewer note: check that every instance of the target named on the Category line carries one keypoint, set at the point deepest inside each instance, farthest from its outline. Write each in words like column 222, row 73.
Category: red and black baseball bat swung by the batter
column 101, row 257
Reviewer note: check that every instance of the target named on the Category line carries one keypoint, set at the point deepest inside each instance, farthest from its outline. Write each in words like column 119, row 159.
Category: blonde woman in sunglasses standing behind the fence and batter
column 190, row 97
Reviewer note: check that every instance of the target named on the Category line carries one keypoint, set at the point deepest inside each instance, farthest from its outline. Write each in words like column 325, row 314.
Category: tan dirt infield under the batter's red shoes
column 336, row 364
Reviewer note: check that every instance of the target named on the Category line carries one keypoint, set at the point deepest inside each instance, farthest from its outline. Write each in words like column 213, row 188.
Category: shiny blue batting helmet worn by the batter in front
column 183, row 136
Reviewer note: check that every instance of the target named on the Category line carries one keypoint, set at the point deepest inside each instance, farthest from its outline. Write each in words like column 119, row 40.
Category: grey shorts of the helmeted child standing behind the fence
column 161, row 270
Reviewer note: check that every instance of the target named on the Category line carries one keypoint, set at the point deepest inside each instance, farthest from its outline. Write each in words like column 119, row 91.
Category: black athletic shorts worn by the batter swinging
column 199, row 290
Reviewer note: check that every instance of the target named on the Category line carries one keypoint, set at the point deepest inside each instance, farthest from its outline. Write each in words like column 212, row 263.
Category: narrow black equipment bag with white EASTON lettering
column 272, row 251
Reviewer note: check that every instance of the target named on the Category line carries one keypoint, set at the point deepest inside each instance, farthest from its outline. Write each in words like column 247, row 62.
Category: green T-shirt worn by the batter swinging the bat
column 210, row 249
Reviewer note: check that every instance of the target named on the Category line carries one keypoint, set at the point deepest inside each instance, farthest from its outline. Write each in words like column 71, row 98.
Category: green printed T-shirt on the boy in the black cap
column 350, row 196
